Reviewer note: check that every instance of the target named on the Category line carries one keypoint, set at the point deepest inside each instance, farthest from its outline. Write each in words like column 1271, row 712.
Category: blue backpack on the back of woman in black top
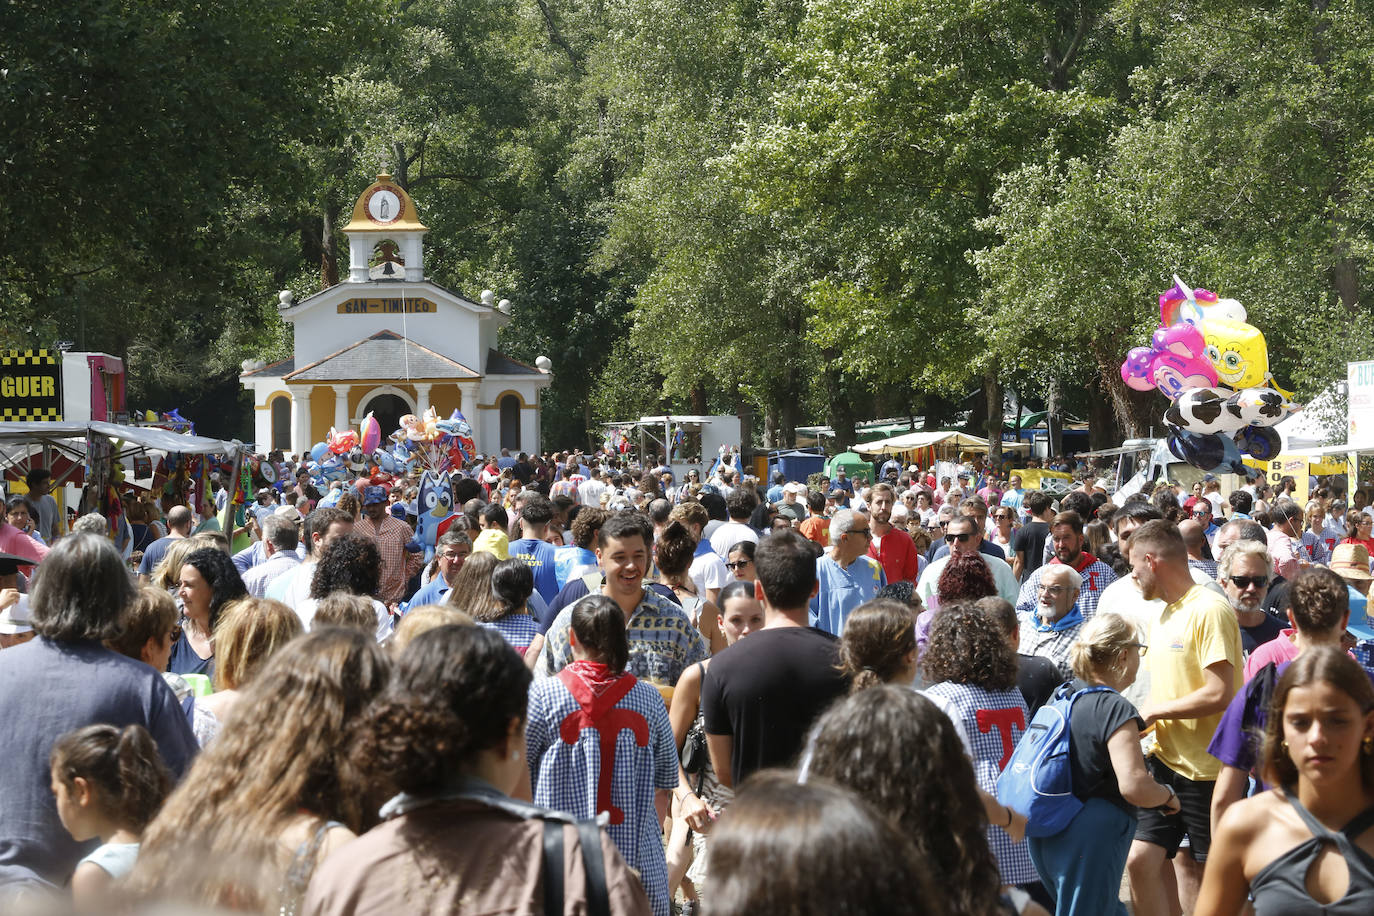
column 1038, row 781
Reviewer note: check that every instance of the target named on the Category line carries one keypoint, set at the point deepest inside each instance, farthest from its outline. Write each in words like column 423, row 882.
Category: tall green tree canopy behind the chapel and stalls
column 813, row 211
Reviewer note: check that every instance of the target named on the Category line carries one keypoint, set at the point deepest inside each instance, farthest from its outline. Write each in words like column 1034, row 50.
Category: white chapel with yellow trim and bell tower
column 391, row 343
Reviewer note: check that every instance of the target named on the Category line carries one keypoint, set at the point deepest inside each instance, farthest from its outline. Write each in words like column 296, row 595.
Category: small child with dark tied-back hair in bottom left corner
column 109, row 783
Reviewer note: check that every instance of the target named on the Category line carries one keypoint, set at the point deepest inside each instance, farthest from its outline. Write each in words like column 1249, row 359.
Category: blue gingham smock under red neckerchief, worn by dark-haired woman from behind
column 564, row 777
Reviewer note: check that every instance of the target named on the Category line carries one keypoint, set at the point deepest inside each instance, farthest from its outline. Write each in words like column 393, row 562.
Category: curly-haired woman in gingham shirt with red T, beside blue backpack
column 973, row 671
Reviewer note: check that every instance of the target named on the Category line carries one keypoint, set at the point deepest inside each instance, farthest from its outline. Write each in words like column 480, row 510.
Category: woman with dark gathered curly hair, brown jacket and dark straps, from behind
column 450, row 735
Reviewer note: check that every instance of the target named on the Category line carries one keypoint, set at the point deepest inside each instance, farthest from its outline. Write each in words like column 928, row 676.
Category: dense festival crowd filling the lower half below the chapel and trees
column 605, row 690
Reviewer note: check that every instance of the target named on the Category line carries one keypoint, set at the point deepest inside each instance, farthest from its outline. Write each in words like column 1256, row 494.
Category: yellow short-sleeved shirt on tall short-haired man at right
column 1197, row 631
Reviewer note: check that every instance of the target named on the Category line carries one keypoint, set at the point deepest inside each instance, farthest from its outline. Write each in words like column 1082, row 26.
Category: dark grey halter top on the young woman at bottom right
column 1281, row 886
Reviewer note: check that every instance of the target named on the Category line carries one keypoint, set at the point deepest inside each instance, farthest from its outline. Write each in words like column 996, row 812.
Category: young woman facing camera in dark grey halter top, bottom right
column 1307, row 845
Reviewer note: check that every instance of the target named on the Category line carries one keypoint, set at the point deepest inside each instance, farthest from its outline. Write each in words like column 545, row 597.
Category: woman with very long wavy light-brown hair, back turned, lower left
column 275, row 793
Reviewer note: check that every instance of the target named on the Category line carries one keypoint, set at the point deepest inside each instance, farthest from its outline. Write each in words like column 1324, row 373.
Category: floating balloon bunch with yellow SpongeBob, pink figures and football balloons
column 1215, row 370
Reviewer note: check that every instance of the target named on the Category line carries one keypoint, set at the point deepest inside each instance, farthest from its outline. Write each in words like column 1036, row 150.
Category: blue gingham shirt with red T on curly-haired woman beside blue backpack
column 964, row 702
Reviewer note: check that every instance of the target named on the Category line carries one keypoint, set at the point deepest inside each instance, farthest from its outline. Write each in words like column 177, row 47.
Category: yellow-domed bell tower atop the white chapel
column 385, row 225
